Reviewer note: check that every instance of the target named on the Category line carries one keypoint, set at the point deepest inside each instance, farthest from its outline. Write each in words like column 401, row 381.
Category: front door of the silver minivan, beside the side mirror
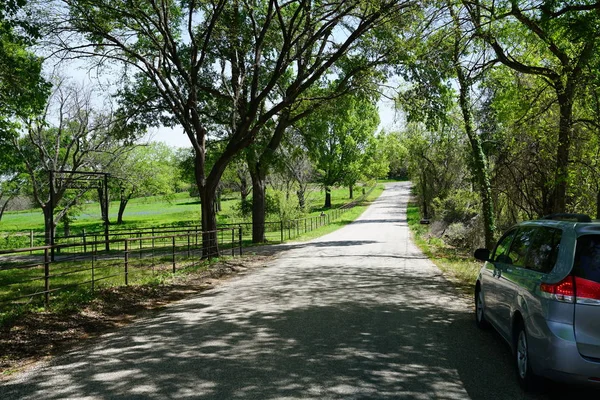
column 491, row 274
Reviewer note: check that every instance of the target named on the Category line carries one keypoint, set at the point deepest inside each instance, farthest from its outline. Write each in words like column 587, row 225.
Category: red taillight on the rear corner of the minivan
column 572, row 289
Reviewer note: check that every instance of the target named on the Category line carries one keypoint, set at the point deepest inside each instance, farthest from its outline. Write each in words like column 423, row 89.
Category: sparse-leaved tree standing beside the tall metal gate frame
column 65, row 140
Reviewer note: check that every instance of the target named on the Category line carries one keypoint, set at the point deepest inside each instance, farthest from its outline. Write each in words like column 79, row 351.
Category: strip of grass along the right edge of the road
column 458, row 265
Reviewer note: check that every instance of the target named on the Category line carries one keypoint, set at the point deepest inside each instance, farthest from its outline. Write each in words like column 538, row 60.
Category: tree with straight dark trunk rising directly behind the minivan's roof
column 553, row 40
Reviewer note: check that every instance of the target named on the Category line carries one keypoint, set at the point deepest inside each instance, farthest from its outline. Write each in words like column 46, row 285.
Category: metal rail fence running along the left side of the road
column 35, row 274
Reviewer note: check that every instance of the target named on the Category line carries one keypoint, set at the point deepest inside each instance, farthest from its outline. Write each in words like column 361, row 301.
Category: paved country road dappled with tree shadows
column 357, row 314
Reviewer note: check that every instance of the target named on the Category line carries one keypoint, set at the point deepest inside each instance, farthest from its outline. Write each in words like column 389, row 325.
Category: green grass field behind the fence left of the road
column 73, row 275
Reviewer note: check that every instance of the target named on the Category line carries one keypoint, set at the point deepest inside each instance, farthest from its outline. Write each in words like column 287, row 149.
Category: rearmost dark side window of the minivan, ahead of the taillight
column 543, row 250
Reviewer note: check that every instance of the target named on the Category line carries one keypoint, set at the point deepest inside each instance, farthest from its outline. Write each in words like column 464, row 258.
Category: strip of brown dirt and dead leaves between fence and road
column 36, row 337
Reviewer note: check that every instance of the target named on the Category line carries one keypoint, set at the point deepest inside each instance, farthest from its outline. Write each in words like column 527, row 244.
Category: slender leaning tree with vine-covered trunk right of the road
column 446, row 56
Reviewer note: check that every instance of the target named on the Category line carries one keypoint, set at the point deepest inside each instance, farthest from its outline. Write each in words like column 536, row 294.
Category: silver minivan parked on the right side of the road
column 540, row 289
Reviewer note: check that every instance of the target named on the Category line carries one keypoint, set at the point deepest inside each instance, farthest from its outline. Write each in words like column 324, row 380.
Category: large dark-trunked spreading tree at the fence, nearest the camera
column 201, row 64
